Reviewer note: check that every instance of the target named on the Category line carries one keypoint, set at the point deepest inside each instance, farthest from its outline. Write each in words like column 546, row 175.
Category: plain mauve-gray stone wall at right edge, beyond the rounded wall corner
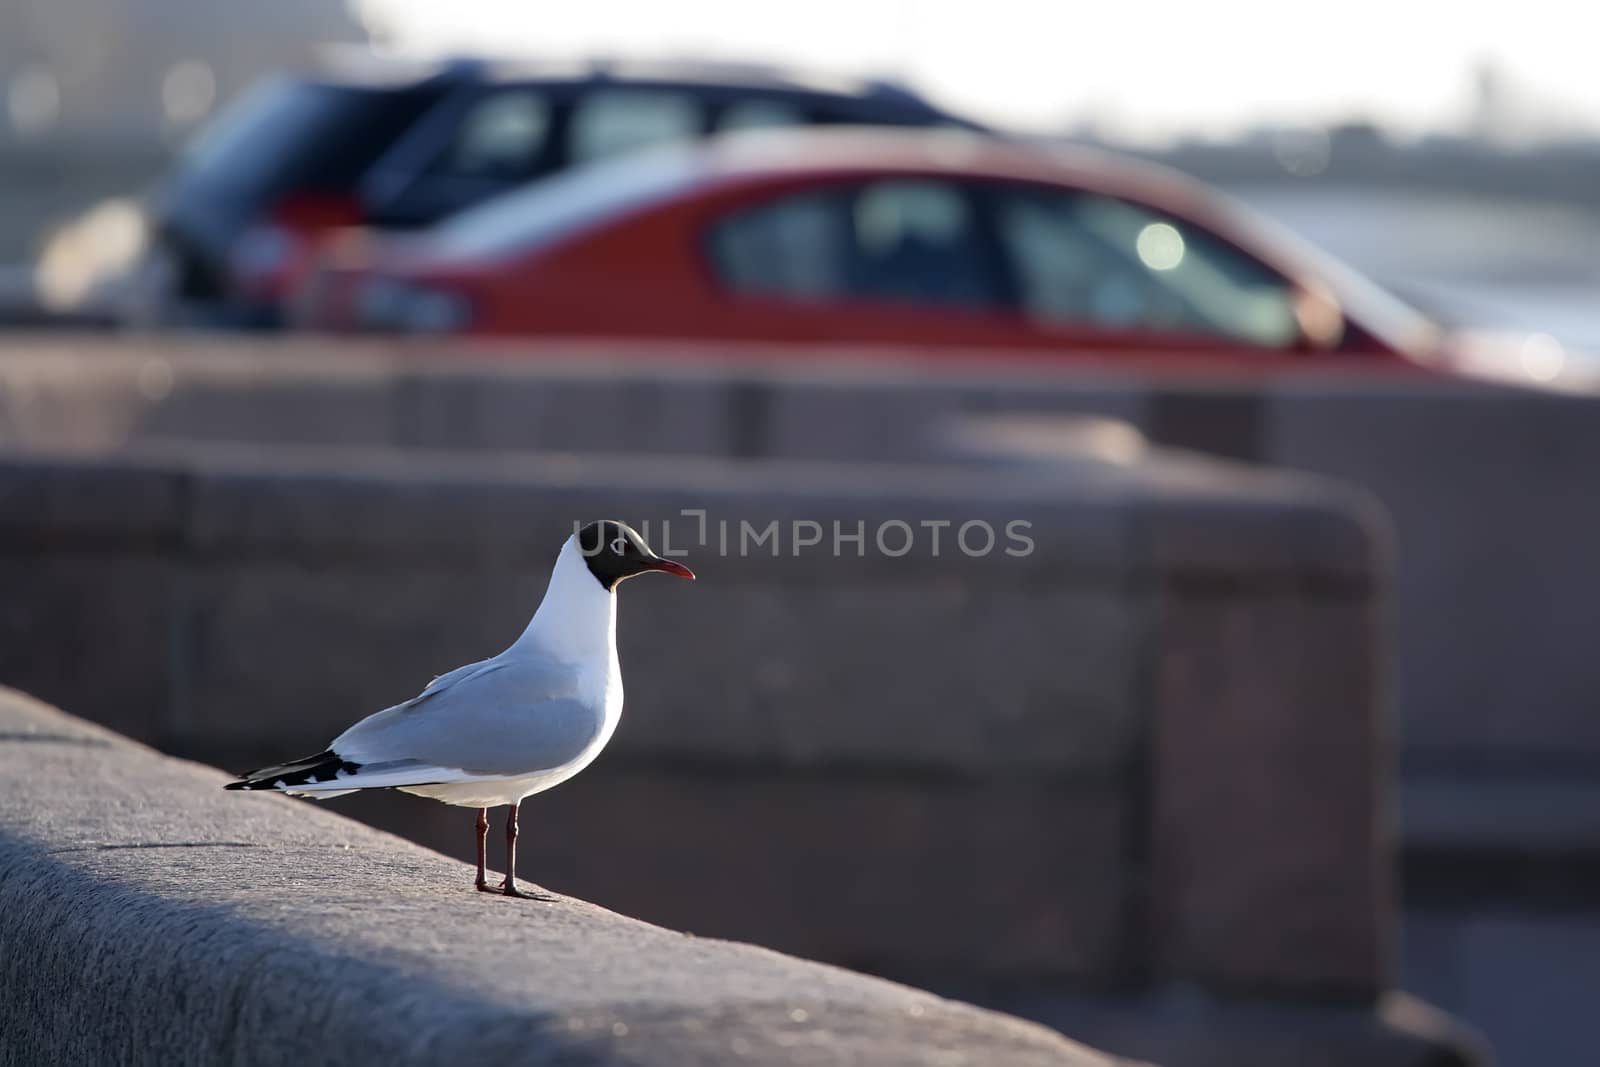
column 1495, row 546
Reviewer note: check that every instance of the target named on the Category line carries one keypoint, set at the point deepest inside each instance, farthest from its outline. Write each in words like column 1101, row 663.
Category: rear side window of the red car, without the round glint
column 902, row 241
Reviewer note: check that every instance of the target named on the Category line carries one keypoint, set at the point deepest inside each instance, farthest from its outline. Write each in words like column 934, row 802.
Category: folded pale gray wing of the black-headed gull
column 497, row 719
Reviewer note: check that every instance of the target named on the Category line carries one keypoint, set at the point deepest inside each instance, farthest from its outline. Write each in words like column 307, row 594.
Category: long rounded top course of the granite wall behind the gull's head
column 1150, row 519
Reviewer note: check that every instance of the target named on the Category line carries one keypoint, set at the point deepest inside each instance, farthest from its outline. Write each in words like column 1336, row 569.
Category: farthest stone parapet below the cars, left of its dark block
column 662, row 399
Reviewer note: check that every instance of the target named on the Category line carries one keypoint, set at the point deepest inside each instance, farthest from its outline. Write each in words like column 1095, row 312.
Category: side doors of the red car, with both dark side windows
column 946, row 262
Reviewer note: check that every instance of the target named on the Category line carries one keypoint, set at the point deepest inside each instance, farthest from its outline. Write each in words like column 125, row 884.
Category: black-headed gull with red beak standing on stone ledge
column 505, row 729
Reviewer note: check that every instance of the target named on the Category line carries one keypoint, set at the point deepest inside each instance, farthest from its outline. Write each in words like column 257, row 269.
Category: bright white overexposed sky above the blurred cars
column 1137, row 70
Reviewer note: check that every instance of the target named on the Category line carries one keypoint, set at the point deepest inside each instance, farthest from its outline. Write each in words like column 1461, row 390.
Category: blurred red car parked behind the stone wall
column 924, row 241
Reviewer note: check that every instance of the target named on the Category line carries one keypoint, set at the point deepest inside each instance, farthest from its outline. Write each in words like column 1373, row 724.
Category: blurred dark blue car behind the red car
column 399, row 146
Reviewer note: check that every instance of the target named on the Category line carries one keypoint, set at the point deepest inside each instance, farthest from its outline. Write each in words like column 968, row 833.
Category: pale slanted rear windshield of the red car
column 561, row 206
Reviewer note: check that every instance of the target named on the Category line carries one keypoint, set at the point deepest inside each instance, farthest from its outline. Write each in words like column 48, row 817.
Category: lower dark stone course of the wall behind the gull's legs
column 902, row 876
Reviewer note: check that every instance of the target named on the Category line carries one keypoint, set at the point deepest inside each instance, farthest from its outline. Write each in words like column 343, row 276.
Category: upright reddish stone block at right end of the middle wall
column 1270, row 825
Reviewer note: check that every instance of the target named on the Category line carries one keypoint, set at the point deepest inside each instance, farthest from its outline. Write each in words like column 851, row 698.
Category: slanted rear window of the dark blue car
column 305, row 135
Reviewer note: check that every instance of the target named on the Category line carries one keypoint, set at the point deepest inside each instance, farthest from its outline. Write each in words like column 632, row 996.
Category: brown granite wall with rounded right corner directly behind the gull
column 1146, row 756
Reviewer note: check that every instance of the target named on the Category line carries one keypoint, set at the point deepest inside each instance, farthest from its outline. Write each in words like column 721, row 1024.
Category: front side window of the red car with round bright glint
column 1082, row 258
